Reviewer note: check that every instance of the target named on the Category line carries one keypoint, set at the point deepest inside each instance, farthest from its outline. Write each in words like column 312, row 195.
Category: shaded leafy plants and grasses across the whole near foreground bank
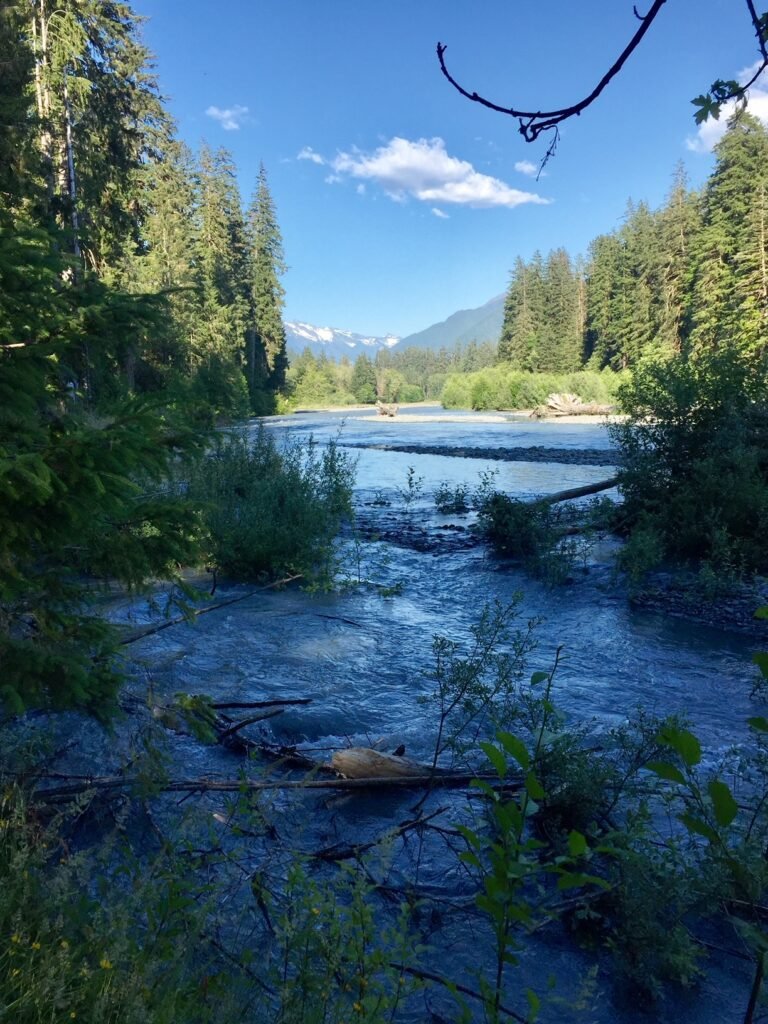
column 631, row 844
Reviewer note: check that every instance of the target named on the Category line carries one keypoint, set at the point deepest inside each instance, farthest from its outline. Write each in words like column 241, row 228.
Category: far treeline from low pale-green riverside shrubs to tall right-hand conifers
column 687, row 279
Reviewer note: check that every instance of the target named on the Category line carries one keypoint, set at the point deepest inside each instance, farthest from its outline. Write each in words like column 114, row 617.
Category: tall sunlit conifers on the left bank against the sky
column 92, row 170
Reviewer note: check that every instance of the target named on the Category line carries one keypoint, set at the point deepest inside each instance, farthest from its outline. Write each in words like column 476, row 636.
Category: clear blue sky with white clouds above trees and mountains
column 400, row 201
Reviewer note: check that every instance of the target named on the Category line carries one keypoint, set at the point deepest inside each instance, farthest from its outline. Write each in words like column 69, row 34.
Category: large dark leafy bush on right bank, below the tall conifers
column 695, row 455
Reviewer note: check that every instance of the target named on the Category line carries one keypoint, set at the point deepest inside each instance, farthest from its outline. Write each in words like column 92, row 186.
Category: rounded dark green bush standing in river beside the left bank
column 270, row 510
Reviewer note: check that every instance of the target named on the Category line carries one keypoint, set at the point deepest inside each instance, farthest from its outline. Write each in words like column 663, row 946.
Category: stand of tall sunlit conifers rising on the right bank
column 690, row 276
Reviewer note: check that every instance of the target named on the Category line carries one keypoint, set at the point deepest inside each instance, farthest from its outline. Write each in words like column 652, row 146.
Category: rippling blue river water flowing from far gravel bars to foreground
column 364, row 660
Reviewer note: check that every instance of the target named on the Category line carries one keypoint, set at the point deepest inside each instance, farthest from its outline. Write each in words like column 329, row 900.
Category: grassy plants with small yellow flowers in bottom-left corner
column 80, row 946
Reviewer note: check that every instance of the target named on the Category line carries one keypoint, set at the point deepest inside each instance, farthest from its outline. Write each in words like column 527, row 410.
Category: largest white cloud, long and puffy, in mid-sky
column 424, row 170
